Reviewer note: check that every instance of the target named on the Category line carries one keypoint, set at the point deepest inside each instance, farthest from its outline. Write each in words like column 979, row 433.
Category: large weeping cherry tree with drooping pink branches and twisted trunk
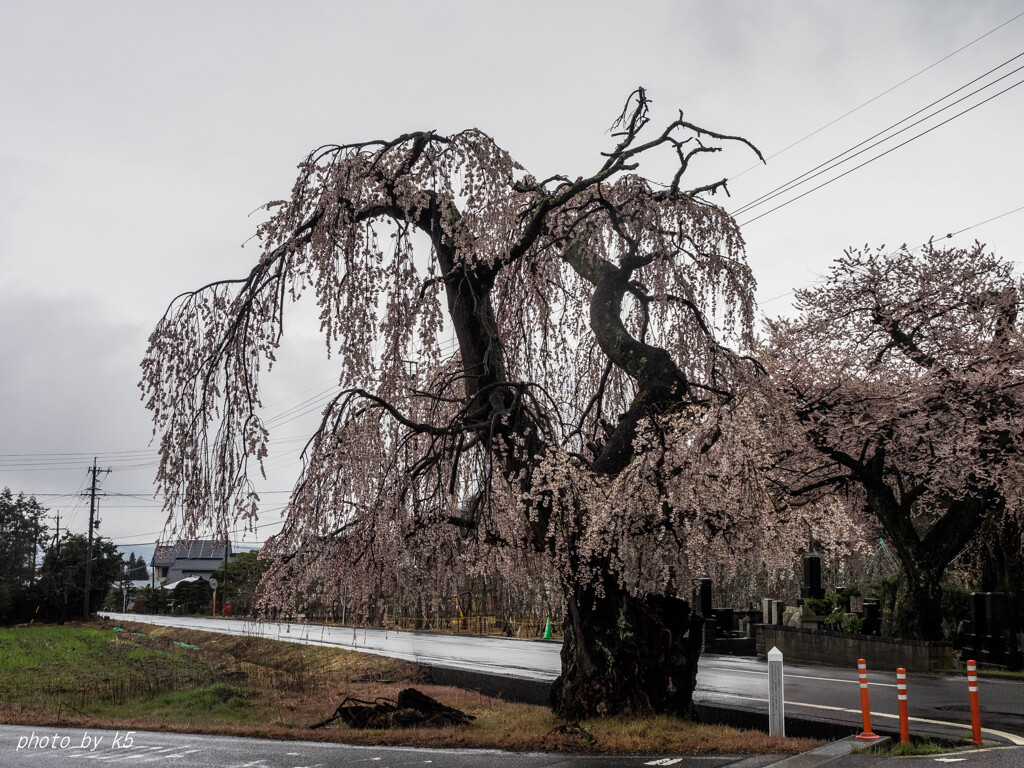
column 580, row 437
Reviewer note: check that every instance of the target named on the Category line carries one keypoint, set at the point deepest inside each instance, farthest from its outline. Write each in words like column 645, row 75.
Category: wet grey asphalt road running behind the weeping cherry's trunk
column 937, row 704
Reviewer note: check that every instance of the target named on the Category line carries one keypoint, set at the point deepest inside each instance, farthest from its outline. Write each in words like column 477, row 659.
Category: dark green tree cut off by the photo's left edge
column 22, row 538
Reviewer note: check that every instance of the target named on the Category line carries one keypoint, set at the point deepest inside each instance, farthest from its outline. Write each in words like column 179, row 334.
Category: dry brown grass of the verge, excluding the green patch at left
column 267, row 689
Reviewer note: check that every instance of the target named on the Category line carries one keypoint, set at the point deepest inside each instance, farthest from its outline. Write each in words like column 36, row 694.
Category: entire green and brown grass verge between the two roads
column 160, row 678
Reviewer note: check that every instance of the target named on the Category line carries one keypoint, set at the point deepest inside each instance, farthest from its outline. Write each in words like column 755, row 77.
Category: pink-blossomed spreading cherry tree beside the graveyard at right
column 906, row 374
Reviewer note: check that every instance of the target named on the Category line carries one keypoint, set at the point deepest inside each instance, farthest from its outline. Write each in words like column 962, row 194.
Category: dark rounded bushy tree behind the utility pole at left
column 63, row 575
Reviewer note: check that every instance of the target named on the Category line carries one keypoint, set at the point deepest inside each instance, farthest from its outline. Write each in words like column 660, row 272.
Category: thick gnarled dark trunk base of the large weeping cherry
column 627, row 655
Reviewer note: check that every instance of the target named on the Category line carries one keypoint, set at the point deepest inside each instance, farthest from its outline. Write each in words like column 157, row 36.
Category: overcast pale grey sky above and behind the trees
column 138, row 138
